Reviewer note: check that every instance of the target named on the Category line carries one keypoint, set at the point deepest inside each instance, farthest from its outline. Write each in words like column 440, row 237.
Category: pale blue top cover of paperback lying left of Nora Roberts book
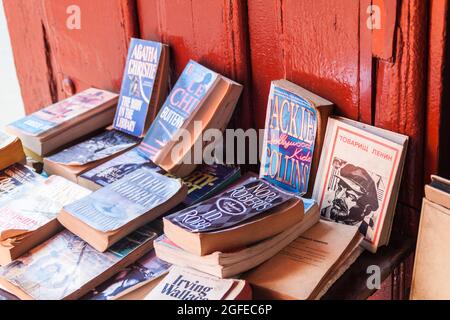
column 113, row 206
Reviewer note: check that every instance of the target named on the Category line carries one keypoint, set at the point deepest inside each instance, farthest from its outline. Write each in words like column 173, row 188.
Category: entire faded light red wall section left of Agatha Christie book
column 46, row 51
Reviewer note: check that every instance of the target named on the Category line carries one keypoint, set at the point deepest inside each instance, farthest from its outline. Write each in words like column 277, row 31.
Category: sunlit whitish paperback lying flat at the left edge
column 28, row 216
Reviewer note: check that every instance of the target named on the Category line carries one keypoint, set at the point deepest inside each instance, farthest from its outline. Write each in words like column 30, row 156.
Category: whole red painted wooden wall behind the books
column 393, row 77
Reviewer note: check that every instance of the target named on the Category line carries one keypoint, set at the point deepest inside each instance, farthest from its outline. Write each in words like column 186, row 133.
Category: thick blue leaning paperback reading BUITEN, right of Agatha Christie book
column 200, row 97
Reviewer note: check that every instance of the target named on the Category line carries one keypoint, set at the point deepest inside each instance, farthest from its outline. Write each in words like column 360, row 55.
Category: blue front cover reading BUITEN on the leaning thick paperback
column 192, row 86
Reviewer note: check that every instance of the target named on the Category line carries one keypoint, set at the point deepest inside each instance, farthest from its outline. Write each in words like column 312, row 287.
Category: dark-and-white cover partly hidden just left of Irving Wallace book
column 144, row 270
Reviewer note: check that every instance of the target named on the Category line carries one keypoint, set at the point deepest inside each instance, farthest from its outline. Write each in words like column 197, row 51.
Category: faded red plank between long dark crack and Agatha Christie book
column 95, row 54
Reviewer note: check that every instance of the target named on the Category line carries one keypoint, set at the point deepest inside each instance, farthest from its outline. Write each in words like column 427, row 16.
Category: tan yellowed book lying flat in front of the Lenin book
column 298, row 270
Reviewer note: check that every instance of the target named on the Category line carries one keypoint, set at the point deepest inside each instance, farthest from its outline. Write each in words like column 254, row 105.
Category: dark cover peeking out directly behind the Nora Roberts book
column 209, row 180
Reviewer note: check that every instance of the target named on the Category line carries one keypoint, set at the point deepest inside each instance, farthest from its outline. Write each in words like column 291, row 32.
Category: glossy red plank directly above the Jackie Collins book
column 312, row 43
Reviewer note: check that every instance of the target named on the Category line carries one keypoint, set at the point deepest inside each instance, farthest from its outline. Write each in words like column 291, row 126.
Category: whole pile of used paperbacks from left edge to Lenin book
column 124, row 209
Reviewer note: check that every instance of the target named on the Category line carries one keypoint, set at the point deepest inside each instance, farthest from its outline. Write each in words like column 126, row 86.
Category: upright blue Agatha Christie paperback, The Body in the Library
column 144, row 85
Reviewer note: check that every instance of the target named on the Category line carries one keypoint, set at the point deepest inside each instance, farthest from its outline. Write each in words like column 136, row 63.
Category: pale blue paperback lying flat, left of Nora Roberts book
column 110, row 213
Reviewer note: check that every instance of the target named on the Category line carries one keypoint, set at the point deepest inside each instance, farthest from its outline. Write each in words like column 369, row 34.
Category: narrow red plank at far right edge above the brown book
column 437, row 114
